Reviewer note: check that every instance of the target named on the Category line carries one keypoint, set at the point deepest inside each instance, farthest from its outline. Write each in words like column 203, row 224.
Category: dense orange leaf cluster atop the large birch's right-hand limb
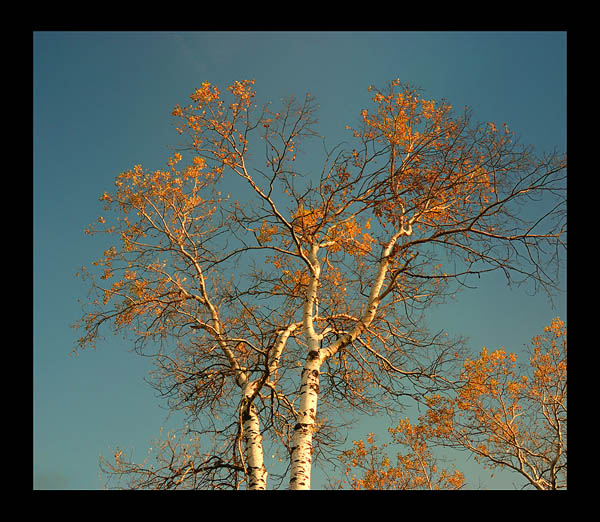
column 437, row 171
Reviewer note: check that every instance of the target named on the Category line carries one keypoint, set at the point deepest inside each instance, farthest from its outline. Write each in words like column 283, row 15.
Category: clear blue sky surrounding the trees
column 102, row 102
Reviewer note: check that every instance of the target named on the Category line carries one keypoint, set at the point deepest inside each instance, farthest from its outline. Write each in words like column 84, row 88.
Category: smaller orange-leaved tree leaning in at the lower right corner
column 512, row 421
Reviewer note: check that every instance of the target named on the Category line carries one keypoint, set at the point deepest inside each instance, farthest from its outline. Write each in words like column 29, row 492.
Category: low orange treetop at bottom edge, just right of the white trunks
column 416, row 468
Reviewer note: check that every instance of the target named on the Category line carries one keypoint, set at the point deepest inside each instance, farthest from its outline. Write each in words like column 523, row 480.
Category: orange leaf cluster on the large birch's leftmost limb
column 157, row 212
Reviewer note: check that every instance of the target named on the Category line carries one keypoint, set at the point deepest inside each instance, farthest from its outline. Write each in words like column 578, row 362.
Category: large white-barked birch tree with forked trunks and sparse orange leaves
column 270, row 311
